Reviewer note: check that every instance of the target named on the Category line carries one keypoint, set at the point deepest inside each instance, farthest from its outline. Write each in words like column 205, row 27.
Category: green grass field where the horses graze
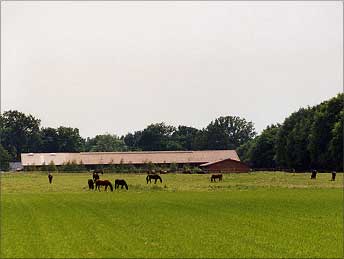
column 256, row 215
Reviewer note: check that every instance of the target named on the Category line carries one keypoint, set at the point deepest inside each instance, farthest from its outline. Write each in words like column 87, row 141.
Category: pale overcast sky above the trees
column 116, row 67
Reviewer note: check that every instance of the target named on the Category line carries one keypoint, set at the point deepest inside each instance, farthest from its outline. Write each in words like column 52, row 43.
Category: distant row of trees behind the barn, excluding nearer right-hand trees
column 22, row 133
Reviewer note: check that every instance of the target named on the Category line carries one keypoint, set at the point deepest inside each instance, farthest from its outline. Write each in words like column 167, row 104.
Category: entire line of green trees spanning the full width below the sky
column 311, row 137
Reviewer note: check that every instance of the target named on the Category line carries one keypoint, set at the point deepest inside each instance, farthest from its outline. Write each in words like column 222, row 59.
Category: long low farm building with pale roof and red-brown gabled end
column 214, row 160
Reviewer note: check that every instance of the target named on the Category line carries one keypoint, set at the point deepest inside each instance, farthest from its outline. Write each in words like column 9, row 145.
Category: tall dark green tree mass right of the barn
column 310, row 138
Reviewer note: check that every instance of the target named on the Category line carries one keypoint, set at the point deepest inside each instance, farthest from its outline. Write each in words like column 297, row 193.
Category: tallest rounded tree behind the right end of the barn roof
column 229, row 132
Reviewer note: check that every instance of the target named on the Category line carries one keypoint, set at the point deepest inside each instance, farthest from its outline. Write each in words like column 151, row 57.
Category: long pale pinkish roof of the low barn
column 93, row 158
